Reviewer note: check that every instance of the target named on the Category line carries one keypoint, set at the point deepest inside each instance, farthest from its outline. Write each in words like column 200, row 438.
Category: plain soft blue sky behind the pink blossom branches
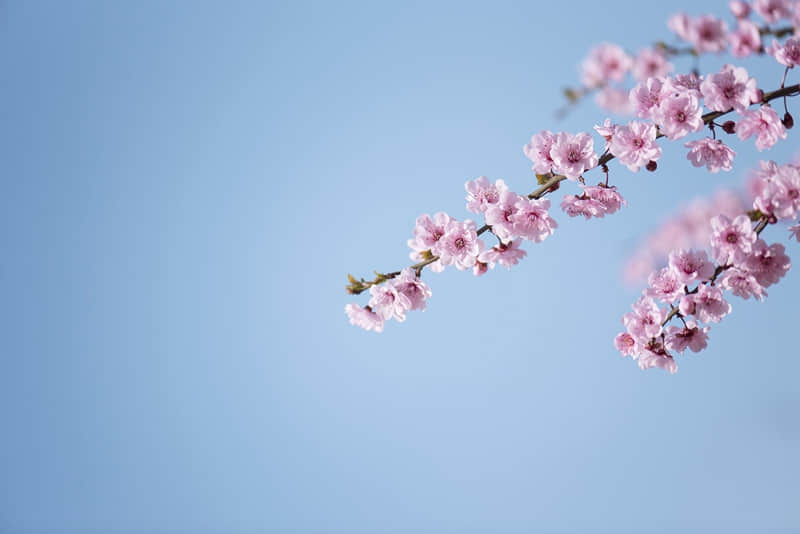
column 184, row 188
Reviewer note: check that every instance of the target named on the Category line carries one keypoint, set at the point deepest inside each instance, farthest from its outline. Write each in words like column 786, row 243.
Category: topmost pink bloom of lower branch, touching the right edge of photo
column 777, row 190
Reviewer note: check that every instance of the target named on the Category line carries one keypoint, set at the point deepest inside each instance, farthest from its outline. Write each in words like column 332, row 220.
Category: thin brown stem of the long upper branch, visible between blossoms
column 550, row 183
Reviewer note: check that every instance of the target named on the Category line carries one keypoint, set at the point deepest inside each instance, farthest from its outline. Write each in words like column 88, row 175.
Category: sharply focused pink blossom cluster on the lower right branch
column 740, row 262
